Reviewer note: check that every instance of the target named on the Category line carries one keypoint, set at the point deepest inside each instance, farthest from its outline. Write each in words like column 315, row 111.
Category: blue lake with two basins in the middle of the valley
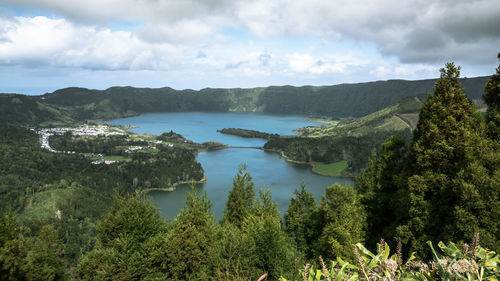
column 268, row 169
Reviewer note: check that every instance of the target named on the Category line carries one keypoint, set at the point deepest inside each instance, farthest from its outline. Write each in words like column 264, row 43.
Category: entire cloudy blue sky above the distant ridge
column 46, row 45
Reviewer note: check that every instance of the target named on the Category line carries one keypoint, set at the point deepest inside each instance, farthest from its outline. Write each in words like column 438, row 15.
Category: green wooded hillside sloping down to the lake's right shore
column 353, row 141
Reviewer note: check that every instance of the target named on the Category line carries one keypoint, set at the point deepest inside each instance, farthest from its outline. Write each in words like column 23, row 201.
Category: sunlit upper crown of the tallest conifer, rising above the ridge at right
column 442, row 141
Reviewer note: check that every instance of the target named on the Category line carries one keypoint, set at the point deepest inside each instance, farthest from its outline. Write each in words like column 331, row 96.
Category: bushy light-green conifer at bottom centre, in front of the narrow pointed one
column 259, row 246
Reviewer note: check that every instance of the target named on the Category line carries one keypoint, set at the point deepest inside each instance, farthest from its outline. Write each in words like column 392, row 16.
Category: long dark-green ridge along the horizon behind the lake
column 336, row 101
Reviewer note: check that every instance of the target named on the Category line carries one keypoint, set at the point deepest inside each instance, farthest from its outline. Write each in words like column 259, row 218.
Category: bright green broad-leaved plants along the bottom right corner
column 452, row 264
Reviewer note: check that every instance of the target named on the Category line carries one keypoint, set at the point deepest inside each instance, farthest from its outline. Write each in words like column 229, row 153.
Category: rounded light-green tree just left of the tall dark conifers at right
column 345, row 220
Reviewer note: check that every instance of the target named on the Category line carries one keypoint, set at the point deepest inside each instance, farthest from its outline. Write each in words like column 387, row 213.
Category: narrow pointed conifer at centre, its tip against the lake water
column 240, row 198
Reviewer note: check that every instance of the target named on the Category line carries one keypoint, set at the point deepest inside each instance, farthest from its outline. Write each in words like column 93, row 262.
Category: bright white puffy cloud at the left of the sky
column 43, row 41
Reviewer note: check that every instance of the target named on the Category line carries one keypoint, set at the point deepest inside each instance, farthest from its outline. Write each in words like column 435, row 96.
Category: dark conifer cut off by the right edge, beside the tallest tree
column 492, row 99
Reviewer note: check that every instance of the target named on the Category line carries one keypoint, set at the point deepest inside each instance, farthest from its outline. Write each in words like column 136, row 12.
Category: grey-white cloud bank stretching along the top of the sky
column 413, row 31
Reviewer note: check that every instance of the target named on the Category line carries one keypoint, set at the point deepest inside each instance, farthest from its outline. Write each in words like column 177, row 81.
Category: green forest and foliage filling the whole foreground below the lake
column 440, row 185
